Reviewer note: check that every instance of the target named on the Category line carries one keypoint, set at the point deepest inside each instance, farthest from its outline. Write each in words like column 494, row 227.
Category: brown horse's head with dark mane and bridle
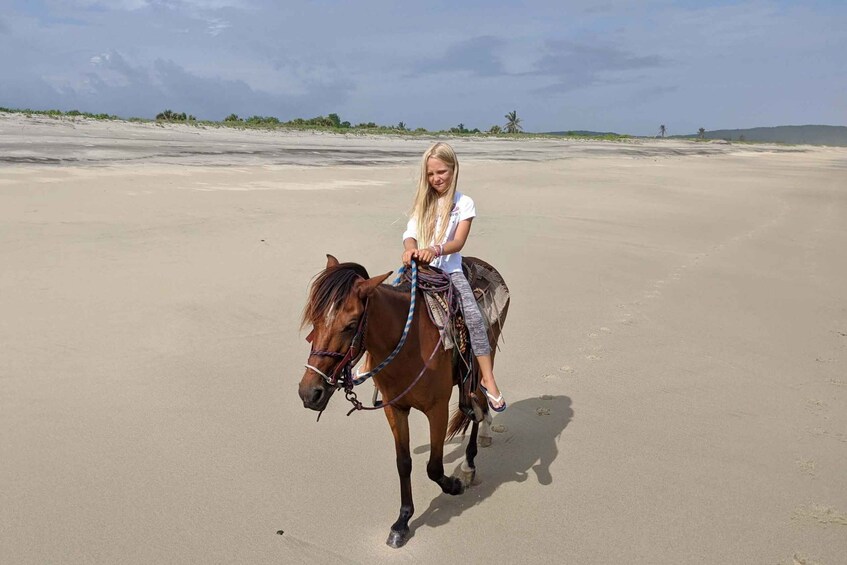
column 335, row 310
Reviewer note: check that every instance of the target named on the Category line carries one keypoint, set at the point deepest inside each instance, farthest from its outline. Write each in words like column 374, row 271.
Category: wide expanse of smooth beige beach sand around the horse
column 675, row 356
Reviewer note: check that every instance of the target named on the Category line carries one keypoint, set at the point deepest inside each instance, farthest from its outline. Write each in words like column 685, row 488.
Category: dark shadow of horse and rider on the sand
column 524, row 447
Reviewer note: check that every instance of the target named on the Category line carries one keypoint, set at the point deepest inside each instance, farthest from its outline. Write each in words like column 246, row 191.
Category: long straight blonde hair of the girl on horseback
column 425, row 209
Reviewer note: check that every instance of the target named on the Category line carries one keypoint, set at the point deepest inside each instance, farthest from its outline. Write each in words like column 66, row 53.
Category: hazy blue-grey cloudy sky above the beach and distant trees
column 622, row 66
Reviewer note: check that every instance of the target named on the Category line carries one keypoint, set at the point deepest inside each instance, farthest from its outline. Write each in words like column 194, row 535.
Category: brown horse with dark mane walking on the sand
column 351, row 313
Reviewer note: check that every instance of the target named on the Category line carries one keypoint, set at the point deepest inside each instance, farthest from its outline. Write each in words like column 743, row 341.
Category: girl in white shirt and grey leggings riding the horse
column 441, row 219
